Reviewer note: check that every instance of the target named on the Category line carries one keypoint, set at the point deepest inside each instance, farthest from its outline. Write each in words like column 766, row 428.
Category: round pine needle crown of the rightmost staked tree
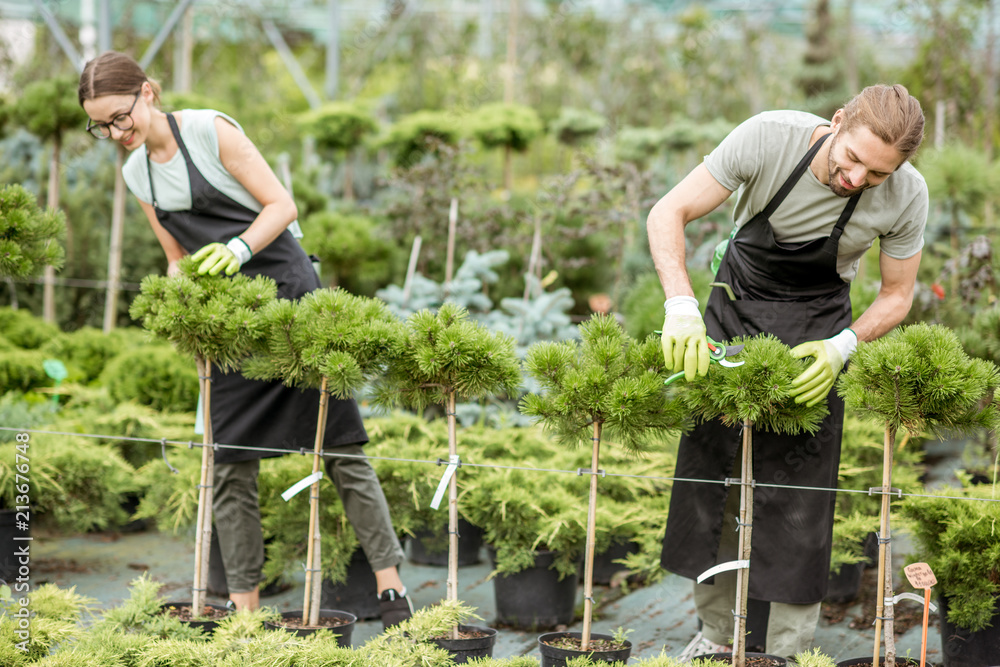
column 919, row 378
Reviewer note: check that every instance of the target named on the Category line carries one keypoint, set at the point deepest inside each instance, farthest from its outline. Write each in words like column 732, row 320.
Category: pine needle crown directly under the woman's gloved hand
column 215, row 318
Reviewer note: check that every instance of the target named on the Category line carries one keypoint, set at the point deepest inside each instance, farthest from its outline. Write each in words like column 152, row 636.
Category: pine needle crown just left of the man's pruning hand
column 606, row 378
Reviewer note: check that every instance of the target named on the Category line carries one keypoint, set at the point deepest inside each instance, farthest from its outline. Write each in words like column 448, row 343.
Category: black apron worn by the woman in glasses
column 252, row 413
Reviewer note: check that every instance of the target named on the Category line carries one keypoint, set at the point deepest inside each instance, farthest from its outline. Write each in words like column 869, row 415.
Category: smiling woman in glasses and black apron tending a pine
column 207, row 190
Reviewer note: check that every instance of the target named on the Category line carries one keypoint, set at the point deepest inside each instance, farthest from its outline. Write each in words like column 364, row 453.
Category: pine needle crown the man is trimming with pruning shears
column 757, row 391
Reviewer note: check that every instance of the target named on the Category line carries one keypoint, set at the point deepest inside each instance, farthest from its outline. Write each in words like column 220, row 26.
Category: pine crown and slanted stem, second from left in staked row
column 335, row 342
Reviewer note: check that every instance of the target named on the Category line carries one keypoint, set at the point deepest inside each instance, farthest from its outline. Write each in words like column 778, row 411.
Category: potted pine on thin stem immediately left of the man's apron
column 606, row 385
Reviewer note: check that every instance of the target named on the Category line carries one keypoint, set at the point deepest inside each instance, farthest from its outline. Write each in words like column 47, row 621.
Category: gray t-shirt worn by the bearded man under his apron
column 757, row 157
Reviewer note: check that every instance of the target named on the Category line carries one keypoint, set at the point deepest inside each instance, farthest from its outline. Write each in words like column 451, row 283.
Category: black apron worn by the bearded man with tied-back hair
column 794, row 292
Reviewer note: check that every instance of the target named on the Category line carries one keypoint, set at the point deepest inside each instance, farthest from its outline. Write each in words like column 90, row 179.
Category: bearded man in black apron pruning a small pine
column 812, row 196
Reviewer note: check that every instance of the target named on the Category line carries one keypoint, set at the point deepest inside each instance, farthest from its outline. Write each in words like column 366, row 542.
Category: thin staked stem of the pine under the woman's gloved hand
column 203, row 532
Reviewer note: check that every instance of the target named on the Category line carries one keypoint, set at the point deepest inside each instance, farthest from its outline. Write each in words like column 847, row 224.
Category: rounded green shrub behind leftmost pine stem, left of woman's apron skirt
column 154, row 375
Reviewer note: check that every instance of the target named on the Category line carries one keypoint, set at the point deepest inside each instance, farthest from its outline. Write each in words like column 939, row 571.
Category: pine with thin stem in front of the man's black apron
column 756, row 395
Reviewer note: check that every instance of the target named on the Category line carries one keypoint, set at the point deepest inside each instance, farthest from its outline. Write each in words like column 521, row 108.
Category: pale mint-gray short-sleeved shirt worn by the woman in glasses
column 170, row 179
